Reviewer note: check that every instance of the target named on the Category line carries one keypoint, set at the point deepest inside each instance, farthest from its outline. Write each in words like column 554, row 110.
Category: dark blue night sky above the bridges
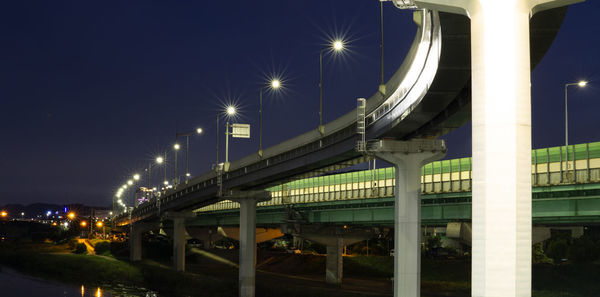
column 92, row 91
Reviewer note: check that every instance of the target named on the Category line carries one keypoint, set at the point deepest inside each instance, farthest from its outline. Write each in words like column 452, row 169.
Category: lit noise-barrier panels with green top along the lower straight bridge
column 441, row 179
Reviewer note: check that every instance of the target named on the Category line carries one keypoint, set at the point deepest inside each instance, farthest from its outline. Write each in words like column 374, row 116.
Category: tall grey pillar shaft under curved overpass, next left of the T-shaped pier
column 247, row 273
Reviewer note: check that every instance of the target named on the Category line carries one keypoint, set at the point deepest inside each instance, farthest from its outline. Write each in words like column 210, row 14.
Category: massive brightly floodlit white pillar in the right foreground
column 501, row 113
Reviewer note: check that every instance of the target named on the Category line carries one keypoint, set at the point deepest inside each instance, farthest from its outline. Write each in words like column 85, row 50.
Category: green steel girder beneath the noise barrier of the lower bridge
column 567, row 204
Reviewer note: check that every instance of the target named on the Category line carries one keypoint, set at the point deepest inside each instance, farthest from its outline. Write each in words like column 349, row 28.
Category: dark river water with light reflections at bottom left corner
column 13, row 283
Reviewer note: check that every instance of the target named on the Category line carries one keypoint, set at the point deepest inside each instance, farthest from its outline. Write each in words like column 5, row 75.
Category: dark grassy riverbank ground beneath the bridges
column 283, row 275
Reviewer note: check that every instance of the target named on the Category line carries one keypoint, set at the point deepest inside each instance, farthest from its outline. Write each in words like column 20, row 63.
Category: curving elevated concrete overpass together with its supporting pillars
column 453, row 67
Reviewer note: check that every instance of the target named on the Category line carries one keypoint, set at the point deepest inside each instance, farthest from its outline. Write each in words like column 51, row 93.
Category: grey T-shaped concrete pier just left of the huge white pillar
column 408, row 157
